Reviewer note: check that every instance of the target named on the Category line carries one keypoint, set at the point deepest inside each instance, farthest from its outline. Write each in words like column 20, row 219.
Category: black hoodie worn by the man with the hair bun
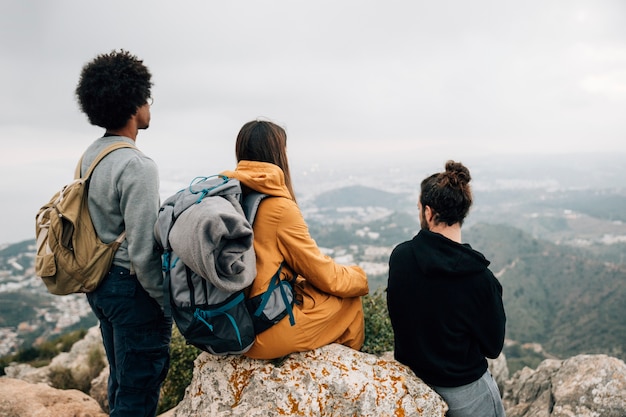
column 446, row 309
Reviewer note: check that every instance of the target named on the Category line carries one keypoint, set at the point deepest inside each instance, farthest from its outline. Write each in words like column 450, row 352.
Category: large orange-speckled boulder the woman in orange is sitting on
column 330, row 381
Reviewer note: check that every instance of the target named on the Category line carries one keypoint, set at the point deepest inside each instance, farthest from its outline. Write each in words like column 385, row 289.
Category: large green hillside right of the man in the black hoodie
column 558, row 296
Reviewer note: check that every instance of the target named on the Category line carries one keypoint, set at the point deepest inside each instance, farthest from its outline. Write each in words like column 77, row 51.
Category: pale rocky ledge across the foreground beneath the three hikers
column 330, row 381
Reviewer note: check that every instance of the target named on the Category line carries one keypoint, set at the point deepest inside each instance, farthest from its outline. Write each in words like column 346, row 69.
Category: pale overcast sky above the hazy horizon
column 351, row 80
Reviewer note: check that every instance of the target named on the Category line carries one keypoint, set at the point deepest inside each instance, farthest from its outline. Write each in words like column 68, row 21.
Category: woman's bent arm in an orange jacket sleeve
column 304, row 257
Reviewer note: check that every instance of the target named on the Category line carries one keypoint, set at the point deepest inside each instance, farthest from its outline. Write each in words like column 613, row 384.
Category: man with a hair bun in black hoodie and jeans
column 445, row 304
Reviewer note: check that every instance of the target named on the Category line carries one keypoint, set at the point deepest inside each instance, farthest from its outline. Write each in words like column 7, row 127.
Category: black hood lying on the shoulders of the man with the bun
column 440, row 256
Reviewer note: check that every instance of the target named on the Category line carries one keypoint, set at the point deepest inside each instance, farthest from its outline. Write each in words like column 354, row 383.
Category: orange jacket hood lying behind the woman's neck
column 263, row 177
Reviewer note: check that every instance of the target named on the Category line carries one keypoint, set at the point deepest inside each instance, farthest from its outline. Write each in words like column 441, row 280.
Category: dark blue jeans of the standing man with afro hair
column 136, row 337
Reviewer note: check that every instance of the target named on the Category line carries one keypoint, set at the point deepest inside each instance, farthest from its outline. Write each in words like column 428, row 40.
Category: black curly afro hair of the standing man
column 112, row 88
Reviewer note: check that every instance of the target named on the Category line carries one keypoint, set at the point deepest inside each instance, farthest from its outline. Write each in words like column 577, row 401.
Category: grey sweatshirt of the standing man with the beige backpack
column 124, row 195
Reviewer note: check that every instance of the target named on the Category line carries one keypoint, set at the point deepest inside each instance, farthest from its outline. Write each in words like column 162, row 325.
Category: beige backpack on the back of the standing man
column 70, row 256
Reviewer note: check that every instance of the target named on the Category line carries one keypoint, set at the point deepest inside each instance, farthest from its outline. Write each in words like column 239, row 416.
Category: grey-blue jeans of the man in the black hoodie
column 479, row 398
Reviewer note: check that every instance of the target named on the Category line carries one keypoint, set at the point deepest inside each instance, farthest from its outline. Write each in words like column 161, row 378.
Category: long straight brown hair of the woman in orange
column 264, row 141
